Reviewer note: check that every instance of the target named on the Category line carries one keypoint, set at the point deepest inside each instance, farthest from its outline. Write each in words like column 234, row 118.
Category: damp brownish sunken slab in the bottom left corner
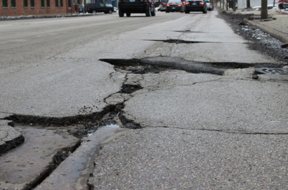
column 24, row 166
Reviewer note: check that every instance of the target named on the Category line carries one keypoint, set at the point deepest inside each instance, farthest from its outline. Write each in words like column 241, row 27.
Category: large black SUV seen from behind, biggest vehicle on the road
column 136, row 6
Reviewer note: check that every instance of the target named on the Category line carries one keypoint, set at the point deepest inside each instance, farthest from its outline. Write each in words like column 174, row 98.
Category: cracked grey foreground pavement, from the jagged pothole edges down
column 223, row 145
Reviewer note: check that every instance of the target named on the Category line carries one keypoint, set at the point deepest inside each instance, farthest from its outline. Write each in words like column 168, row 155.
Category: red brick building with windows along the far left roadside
column 38, row 7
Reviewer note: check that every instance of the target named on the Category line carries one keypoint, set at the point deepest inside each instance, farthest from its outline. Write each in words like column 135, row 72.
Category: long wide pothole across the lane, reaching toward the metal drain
column 159, row 64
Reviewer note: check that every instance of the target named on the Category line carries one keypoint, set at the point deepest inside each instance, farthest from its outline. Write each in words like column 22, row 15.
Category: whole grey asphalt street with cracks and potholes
column 164, row 102
